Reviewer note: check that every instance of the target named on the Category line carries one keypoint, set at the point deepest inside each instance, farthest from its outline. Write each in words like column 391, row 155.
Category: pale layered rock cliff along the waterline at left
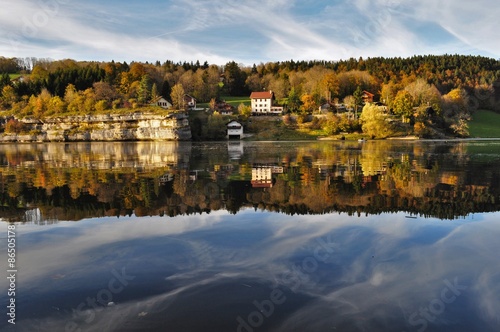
column 133, row 127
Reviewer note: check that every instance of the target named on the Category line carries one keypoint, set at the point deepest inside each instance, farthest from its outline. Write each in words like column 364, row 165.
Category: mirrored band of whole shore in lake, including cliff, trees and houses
column 75, row 181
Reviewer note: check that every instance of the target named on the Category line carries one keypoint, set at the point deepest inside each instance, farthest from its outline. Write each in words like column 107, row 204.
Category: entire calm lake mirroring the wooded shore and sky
column 251, row 236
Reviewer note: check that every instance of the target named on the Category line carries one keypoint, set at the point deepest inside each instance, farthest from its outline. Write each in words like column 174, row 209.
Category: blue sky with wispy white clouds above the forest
column 252, row 31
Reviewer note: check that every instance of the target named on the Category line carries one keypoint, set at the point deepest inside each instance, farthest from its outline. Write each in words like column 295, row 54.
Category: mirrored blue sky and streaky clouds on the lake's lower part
column 261, row 272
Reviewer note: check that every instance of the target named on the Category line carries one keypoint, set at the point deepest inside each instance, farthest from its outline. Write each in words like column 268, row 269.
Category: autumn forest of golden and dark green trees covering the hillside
column 417, row 95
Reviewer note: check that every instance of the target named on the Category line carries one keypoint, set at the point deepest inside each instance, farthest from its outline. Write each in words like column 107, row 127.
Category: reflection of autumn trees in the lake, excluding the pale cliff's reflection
column 373, row 178
